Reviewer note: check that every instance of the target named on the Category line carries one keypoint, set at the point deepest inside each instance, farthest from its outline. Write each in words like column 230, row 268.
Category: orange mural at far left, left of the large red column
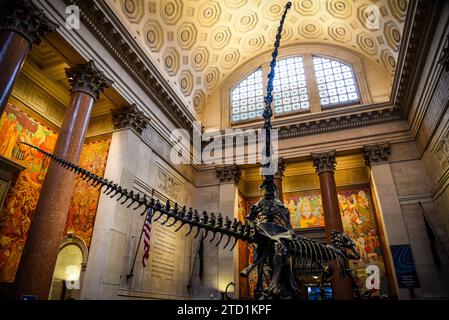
column 21, row 200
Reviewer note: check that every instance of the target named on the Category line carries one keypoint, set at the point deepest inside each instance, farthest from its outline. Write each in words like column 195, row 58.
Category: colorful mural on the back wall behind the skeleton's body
column 359, row 221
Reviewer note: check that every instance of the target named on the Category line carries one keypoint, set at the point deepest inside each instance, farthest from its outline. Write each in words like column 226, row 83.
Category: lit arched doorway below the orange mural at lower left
column 70, row 265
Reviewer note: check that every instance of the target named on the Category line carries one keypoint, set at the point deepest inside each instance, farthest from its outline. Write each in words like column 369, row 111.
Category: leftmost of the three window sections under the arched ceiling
column 247, row 99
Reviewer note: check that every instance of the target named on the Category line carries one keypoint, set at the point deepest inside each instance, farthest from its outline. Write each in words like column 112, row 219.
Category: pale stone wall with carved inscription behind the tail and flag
column 134, row 165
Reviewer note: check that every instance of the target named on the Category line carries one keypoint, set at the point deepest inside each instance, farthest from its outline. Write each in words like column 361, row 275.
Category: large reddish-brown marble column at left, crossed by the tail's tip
column 34, row 276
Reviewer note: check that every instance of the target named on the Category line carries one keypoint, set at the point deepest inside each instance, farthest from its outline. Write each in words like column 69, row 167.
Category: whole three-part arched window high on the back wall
column 301, row 84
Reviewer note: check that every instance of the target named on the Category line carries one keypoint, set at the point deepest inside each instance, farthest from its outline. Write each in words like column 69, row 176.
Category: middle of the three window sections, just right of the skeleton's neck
column 289, row 86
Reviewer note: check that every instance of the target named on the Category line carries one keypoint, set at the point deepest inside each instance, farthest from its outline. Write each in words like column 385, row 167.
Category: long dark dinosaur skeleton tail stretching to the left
column 170, row 211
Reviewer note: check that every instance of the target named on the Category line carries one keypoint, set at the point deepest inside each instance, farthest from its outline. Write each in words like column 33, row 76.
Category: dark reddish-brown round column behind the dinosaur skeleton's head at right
column 324, row 164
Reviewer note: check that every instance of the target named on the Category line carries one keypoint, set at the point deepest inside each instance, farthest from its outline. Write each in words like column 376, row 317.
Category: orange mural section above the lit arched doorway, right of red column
column 84, row 202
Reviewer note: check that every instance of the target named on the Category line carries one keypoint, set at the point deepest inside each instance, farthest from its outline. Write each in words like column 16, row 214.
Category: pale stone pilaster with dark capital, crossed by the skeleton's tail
column 229, row 177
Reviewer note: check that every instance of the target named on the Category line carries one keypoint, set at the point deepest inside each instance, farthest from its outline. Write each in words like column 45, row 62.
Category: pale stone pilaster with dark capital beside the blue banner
column 391, row 222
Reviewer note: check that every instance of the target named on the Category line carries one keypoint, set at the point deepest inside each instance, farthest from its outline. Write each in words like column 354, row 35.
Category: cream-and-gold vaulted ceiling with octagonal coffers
column 196, row 44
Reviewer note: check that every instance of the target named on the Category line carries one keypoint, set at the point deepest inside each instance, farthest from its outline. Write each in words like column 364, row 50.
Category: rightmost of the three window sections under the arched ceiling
column 335, row 81
